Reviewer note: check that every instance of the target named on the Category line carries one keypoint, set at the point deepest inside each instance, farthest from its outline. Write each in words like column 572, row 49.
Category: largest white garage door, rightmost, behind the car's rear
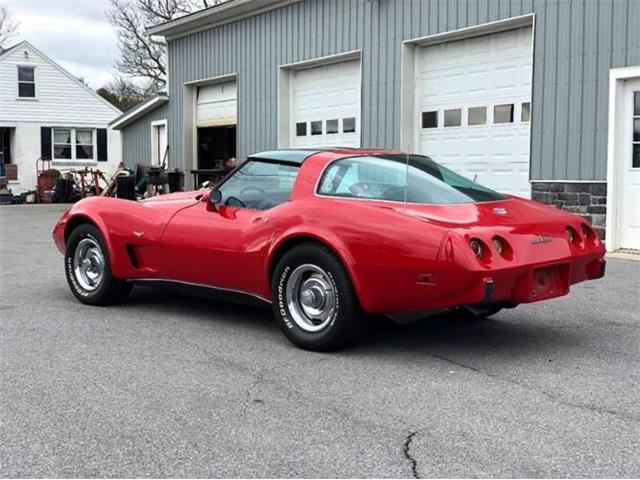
column 473, row 104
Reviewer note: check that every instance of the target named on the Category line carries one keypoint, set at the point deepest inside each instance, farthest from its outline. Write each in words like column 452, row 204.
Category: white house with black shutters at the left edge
column 46, row 112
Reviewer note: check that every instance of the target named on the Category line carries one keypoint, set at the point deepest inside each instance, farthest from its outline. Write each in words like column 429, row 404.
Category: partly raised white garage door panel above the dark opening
column 217, row 105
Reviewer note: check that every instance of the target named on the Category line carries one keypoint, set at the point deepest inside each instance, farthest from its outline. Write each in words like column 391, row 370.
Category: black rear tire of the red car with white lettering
column 346, row 322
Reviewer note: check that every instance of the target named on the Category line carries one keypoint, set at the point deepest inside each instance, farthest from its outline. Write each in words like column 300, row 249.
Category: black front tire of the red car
column 109, row 290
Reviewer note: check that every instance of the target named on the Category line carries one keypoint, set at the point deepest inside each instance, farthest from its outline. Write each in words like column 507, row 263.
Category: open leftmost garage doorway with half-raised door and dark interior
column 216, row 130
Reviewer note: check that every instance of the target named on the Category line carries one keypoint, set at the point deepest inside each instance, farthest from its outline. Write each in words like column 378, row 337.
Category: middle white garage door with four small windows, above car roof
column 325, row 106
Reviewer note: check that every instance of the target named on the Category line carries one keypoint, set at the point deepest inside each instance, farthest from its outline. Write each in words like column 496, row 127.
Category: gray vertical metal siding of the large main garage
column 576, row 43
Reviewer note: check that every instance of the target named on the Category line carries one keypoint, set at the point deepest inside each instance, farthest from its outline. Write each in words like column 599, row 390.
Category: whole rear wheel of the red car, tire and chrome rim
column 314, row 301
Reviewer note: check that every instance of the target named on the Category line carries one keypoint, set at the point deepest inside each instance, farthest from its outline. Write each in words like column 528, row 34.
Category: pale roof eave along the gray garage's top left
column 216, row 15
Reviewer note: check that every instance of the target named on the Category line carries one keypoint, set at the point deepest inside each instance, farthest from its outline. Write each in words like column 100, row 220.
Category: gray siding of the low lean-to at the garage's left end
column 136, row 138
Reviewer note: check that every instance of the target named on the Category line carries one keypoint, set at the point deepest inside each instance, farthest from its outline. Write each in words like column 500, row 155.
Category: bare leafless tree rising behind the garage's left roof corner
column 140, row 56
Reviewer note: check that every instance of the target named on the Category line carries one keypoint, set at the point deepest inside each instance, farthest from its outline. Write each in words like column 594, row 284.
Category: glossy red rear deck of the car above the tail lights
column 513, row 211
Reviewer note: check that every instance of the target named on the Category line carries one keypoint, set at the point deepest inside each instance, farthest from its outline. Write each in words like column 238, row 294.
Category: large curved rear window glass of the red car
column 414, row 178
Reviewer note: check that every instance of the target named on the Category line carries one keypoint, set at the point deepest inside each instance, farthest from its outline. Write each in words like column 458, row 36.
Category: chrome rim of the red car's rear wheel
column 311, row 297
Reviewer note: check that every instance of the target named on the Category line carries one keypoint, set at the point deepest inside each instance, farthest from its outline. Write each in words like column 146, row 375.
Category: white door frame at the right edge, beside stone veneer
column 617, row 76
